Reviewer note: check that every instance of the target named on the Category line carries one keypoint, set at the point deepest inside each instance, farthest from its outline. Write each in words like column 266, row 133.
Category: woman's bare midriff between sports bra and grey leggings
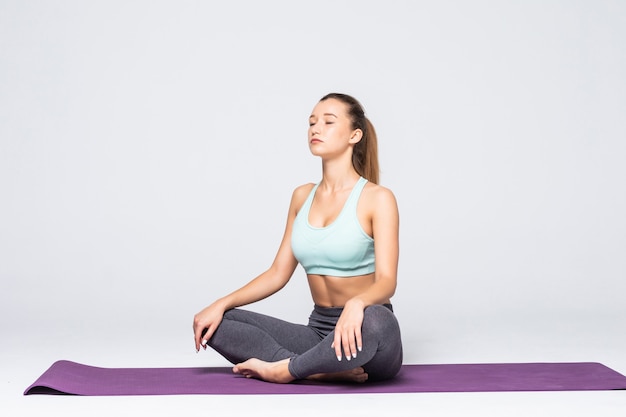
column 329, row 291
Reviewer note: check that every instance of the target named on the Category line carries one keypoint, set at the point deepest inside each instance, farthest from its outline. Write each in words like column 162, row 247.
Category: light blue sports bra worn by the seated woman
column 341, row 249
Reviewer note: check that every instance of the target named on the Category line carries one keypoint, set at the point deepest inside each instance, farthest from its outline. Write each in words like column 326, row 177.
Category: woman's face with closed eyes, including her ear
column 330, row 128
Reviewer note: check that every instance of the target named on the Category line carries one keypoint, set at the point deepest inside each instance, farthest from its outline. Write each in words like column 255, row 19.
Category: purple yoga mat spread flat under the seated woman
column 65, row 377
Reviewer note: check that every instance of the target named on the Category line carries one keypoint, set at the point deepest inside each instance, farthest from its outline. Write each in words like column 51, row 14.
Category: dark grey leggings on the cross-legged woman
column 244, row 334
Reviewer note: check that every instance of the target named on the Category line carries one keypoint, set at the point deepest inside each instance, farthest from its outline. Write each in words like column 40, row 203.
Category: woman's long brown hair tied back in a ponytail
column 365, row 152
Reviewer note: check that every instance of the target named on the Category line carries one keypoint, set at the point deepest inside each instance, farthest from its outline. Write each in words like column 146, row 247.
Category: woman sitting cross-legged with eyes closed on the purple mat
column 344, row 232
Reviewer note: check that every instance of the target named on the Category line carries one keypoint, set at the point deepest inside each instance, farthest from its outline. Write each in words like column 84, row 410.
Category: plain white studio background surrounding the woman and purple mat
column 148, row 150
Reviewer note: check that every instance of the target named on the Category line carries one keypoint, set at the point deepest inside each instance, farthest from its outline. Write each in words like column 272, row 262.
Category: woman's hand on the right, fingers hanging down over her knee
column 348, row 330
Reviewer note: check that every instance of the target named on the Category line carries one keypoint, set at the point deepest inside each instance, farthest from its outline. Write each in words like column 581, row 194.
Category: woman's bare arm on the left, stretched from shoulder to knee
column 264, row 285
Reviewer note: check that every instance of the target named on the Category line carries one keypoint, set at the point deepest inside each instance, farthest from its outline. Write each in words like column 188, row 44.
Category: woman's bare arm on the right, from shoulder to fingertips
column 385, row 230
